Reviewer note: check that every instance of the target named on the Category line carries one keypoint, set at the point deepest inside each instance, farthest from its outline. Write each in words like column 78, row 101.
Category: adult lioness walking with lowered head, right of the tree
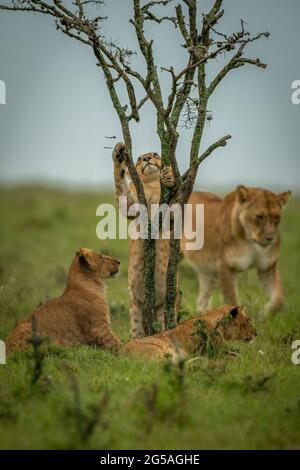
column 240, row 232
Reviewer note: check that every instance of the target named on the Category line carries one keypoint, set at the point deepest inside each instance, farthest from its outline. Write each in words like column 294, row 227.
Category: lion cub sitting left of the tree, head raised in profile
column 81, row 314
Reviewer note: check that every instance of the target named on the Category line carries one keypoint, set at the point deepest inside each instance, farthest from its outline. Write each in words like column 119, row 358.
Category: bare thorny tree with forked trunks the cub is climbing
column 188, row 95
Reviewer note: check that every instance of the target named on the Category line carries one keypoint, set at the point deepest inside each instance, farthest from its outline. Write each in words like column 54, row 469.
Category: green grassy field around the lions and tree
column 87, row 398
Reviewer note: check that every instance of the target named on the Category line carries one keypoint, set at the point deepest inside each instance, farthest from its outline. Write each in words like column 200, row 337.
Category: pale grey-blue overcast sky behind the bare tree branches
column 58, row 111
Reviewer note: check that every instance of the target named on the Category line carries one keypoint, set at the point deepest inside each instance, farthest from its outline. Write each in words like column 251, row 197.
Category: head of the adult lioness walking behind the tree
column 260, row 212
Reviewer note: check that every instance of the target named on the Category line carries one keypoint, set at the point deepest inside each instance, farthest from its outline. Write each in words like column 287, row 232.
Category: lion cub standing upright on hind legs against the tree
column 149, row 169
